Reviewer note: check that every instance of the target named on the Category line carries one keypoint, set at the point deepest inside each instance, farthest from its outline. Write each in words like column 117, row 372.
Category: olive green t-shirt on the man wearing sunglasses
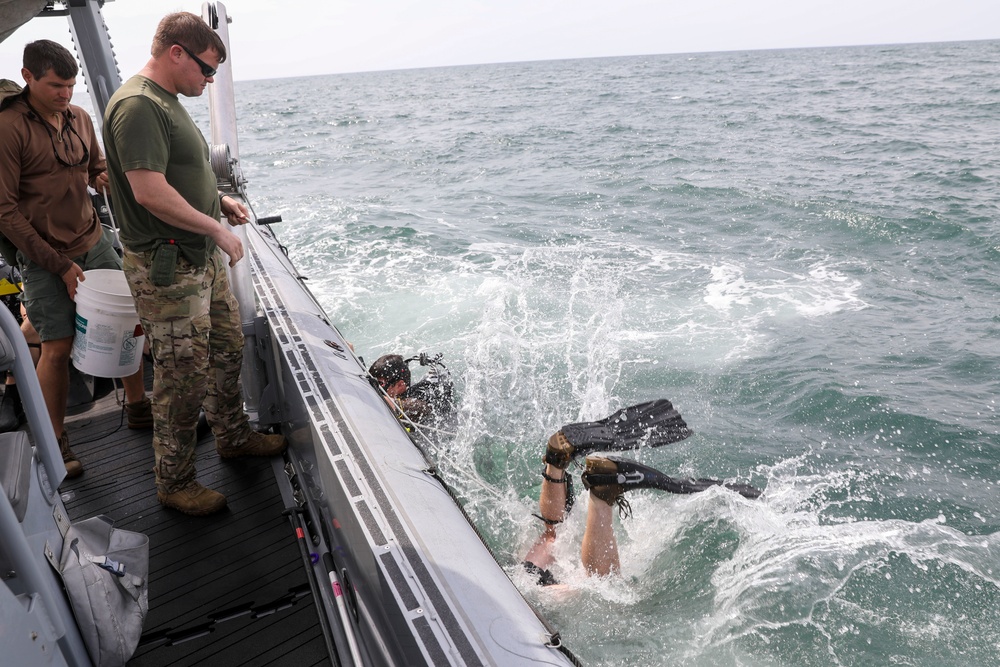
column 146, row 127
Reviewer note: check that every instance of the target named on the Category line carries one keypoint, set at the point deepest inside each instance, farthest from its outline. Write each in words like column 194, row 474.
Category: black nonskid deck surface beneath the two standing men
column 228, row 589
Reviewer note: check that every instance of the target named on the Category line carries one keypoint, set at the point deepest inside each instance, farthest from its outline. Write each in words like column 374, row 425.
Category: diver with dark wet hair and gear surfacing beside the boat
column 428, row 400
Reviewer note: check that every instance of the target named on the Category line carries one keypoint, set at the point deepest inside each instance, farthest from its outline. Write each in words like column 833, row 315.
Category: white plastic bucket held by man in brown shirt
column 108, row 341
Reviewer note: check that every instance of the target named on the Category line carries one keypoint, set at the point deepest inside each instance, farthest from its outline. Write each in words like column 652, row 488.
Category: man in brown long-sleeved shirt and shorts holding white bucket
column 48, row 156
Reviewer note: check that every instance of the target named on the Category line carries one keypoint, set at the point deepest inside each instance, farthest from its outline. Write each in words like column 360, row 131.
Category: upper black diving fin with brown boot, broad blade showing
column 651, row 424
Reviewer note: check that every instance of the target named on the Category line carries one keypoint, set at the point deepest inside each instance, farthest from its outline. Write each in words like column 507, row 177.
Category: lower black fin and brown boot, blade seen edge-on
column 608, row 478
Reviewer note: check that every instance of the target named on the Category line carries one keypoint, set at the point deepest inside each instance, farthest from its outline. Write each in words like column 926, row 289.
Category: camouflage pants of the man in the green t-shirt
column 196, row 341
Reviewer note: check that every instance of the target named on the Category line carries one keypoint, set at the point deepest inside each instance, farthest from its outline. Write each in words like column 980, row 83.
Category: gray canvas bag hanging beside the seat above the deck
column 106, row 574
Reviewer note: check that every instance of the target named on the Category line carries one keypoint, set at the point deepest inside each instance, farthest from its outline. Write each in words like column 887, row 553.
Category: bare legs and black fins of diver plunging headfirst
column 608, row 478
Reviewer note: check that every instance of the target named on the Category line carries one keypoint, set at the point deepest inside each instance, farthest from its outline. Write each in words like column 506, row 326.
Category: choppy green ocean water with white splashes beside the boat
column 798, row 248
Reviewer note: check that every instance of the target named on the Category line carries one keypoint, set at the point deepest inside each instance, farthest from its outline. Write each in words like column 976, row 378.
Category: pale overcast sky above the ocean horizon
column 280, row 38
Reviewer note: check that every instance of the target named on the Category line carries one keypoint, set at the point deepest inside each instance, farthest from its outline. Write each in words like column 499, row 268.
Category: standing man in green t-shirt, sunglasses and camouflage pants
column 169, row 208
